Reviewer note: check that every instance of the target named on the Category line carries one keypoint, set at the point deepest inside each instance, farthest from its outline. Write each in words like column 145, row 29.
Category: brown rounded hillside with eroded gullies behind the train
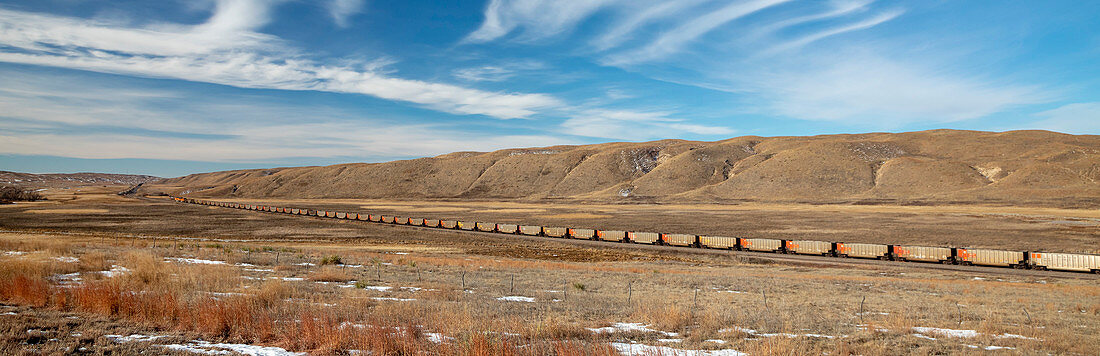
column 1020, row 168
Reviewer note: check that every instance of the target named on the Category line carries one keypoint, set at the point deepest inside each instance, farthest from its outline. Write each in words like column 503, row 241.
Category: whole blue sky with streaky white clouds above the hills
column 177, row 87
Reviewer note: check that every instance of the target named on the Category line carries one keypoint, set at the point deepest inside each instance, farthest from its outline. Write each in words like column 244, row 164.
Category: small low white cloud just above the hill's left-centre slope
column 635, row 126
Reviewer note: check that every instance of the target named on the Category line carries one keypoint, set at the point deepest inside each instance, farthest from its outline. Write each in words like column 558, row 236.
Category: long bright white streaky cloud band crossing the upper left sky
column 226, row 51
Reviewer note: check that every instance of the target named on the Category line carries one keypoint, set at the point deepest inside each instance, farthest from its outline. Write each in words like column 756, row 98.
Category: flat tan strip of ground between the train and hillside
column 1010, row 228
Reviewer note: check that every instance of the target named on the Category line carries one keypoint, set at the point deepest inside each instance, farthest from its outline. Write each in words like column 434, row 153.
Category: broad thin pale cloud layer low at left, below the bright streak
column 73, row 117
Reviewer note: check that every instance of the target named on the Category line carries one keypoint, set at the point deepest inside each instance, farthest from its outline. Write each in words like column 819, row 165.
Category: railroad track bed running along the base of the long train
column 779, row 258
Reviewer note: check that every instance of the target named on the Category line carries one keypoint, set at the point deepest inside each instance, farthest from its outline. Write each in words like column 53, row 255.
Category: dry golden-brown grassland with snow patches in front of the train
column 194, row 276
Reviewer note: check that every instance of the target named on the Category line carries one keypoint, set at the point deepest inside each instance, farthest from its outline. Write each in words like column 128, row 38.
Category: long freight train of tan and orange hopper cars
column 906, row 253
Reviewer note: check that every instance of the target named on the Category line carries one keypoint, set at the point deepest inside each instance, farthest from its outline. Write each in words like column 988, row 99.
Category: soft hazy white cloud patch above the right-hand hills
column 872, row 91
